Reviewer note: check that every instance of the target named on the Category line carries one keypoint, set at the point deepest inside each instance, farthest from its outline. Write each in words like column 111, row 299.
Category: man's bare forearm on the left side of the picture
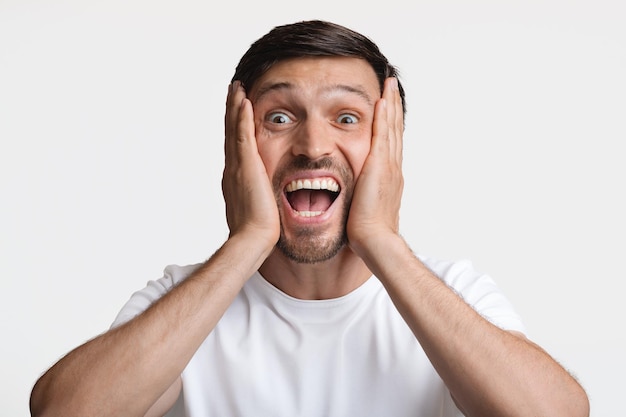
column 124, row 371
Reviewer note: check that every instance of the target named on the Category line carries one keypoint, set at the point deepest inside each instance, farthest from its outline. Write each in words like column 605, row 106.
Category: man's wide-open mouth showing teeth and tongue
column 311, row 197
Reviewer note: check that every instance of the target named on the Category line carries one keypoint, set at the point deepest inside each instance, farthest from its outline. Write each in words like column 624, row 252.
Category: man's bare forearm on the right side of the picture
column 488, row 371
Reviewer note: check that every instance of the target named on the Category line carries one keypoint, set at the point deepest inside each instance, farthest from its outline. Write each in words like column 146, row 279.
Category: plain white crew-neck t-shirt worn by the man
column 277, row 356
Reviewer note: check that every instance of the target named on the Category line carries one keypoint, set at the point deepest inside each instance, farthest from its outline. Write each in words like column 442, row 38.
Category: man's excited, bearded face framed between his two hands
column 313, row 119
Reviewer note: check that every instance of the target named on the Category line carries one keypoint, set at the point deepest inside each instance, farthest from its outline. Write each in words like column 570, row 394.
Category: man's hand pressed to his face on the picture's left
column 250, row 202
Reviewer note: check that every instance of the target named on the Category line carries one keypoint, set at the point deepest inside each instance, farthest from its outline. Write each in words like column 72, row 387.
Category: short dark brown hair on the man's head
column 313, row 38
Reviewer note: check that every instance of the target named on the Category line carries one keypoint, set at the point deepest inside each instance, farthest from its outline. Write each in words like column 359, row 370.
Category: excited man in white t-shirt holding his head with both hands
column 315, row 305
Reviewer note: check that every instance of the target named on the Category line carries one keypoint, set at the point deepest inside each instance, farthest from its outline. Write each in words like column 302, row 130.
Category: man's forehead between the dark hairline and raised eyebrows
column 319, row 75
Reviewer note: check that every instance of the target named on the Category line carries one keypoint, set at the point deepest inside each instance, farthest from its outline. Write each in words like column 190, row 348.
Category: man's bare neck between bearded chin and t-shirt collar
column 324, row 280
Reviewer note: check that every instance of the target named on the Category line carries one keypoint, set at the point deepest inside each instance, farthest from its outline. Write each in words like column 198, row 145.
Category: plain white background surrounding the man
column 111, row 157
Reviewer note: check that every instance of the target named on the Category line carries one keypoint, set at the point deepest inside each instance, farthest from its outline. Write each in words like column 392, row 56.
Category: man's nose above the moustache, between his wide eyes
column 313, row 139
